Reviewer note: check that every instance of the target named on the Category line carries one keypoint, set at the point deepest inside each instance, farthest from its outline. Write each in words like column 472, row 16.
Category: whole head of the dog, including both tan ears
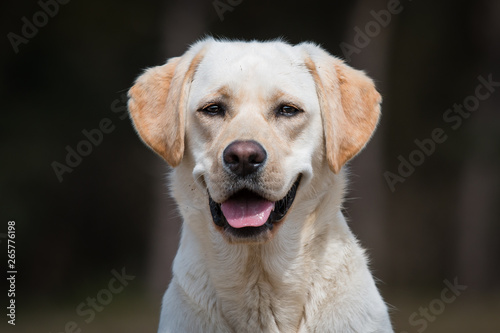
column 253, row 122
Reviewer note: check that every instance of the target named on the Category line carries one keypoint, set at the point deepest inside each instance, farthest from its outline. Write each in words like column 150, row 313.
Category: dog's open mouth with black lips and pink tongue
column 246, row 214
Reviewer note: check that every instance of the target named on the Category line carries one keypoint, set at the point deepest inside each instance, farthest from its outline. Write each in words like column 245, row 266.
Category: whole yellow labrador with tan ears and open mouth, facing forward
column 257, row 134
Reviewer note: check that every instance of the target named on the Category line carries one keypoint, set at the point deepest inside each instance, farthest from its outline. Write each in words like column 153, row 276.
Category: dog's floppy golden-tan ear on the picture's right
column 350, row 105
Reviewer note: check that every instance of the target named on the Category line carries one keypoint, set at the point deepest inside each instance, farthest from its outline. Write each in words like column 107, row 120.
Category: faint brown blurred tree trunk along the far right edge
column 477, row 209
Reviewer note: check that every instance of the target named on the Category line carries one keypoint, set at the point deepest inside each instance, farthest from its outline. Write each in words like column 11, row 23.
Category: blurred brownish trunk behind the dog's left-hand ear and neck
column 184, row 23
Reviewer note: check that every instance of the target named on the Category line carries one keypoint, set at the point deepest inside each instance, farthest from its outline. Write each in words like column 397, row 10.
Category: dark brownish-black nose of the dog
column 244, row 157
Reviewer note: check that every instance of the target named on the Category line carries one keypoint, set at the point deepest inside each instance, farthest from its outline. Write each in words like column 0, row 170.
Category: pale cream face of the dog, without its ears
column 253, row 127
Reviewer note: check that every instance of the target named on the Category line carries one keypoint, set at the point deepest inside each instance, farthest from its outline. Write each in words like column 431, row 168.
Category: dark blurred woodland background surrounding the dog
column 95, row 228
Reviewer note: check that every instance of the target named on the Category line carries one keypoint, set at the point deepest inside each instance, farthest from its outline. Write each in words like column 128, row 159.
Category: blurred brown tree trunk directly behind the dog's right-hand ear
column 367, row 201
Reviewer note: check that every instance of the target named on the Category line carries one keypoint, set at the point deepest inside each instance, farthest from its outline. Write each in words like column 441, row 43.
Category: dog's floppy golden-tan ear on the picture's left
column 157, row 105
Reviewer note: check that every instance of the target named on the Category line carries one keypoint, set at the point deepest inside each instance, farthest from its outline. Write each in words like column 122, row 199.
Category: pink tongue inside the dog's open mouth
column 243, row 212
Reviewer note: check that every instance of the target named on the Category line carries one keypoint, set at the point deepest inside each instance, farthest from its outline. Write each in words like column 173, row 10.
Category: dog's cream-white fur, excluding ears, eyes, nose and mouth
column 312, row 275
